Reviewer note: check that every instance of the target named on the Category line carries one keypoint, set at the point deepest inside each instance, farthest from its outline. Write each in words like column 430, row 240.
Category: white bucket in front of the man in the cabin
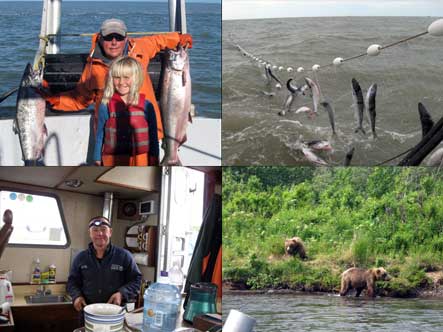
column 103, row 317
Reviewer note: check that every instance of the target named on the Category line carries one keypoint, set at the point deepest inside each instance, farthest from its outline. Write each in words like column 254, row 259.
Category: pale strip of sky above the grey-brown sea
column 253, row 9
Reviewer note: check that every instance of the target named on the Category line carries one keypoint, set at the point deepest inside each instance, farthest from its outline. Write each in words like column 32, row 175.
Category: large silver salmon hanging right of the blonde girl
column 175, row 102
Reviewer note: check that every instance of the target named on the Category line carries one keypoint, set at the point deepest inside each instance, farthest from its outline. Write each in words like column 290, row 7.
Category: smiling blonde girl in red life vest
column 127, row 125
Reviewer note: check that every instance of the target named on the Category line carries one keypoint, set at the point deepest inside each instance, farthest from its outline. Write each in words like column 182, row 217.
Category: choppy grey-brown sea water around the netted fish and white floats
column 406, row 74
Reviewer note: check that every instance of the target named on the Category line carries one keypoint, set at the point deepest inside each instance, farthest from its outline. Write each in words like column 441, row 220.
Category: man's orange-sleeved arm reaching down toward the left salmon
column 77, row 99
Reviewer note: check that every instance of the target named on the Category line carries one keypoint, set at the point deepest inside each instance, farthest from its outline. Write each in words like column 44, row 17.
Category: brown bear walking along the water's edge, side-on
column 359, row 279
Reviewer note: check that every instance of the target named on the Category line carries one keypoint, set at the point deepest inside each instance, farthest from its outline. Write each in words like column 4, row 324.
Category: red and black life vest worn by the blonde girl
column 126, row 130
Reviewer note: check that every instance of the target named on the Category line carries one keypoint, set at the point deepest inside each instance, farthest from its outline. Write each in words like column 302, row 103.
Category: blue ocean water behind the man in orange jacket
column 20, row 26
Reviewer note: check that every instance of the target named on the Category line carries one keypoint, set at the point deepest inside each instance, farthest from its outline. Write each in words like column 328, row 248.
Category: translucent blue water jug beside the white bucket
column 161, row 302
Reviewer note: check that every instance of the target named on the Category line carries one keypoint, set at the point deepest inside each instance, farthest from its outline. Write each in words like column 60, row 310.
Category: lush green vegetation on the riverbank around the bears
column 363, row 217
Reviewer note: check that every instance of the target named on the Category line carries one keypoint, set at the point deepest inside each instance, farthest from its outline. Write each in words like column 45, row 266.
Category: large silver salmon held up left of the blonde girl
column 30, row 118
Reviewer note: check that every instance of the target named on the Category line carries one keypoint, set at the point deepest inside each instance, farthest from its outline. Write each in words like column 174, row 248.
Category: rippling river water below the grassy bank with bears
column 289, row 312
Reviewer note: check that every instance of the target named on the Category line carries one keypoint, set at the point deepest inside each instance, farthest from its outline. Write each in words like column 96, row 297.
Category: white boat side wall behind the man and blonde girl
column 70, row 138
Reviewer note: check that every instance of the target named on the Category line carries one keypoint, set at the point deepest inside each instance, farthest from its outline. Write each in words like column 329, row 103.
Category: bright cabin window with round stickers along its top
column 37, row 219
